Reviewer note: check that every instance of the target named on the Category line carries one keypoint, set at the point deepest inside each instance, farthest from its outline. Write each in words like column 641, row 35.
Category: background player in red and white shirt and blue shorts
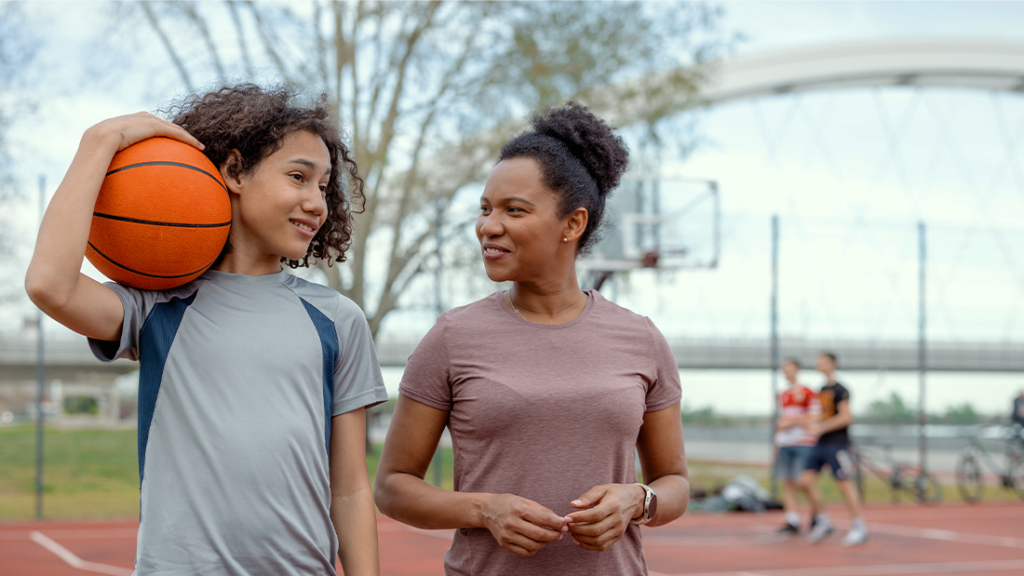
column 798, row 408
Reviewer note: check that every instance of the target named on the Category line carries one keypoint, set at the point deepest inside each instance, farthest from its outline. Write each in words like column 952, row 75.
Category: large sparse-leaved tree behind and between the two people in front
column 430, row 90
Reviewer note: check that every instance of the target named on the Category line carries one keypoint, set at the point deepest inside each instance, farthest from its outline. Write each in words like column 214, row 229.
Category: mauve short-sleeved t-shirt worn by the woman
column 545, row 413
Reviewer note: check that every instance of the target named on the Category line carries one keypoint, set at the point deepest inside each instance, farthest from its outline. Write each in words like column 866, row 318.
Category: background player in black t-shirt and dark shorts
column 833, row 449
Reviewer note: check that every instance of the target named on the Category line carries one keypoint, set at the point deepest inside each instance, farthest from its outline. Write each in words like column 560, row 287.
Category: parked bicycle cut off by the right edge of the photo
column 970, row 481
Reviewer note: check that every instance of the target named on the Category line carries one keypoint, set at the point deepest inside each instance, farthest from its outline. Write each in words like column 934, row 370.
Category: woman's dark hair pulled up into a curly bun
column 581, row 158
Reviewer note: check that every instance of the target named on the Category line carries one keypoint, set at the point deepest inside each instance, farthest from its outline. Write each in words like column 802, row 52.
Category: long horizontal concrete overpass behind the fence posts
column 70, row 359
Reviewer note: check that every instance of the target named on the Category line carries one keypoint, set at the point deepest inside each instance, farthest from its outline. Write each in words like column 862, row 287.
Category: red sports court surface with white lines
column 979, row 541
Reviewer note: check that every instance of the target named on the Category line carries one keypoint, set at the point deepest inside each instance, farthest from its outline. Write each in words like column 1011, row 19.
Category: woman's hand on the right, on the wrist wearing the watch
column 614, row 506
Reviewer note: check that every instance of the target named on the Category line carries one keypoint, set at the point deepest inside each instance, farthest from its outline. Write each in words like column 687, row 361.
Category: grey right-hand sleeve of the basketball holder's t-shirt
column 358, row 380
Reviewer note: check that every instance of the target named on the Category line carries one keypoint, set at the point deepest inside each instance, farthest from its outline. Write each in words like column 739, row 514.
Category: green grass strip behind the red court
column 95, row 474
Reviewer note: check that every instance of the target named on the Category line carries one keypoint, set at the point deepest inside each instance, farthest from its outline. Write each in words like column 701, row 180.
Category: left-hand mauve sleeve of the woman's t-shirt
column 426, row 379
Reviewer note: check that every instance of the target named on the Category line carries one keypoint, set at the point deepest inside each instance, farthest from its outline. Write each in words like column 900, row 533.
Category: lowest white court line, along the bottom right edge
column 876, row 570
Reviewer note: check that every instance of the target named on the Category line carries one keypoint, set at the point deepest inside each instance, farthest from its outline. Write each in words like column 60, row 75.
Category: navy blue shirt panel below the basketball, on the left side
column 155, row 342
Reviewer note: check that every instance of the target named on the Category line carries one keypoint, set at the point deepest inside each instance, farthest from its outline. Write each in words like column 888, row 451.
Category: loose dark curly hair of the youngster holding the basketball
column 255, row 121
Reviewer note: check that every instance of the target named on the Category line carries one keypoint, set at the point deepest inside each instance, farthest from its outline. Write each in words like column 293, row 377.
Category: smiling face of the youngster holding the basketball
column 281, row 204
